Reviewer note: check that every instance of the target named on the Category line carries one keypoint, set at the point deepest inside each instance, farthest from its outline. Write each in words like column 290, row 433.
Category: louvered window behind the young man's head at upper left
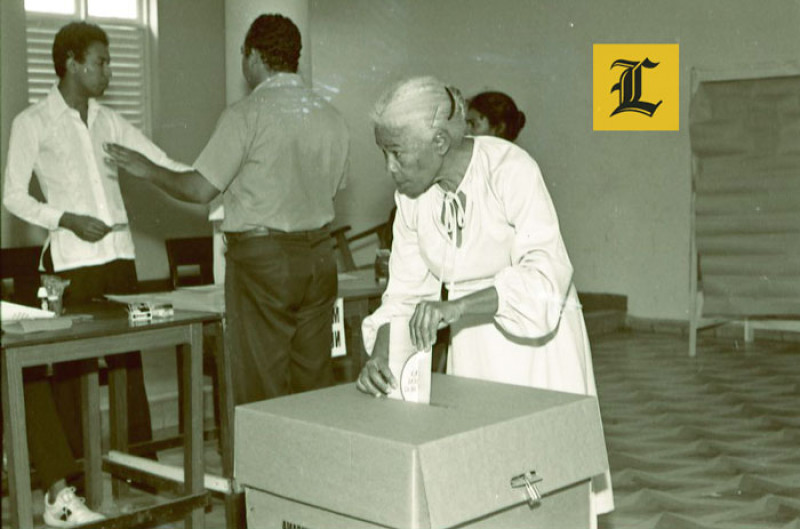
column 128, row 35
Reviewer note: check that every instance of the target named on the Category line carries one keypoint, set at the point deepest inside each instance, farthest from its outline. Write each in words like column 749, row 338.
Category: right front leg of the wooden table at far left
column 193, row 419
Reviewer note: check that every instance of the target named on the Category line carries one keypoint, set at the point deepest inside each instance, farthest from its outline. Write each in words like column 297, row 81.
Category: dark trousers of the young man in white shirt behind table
column 53, row 406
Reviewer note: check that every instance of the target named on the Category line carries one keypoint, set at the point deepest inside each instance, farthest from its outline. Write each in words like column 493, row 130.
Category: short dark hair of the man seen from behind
column 277, row 40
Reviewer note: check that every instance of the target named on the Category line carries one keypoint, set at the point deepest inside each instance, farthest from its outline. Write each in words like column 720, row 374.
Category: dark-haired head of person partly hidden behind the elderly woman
column 494, row 114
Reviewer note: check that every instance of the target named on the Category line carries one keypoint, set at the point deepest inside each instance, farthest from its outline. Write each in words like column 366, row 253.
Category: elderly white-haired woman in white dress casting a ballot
column 474, row 215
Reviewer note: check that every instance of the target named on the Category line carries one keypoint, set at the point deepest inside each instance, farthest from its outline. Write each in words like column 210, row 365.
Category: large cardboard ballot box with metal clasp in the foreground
column 338, row 459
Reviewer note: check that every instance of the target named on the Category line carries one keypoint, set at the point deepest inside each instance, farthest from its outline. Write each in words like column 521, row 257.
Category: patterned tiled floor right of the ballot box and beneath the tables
column 705, row 443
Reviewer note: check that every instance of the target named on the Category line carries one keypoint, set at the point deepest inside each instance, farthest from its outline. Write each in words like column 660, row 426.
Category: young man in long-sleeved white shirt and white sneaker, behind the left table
column 59, row 139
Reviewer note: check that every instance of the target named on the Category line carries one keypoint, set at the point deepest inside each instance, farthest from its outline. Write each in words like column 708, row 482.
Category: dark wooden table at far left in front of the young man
column 108, row 333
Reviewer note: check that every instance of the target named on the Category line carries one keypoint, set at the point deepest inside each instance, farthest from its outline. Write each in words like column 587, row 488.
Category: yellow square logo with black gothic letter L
column 635, row 87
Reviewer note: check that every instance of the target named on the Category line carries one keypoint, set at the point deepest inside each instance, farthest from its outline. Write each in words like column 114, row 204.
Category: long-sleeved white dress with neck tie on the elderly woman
column 504, row 233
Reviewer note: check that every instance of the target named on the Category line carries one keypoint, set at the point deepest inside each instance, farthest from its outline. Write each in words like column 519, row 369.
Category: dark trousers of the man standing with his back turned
column 279, row 296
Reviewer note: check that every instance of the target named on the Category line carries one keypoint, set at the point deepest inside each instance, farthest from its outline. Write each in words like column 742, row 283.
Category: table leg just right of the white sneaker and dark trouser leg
column 92, row 455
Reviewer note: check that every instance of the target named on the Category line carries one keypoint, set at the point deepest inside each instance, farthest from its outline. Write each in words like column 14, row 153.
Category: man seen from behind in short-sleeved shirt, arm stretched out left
column 278, row 157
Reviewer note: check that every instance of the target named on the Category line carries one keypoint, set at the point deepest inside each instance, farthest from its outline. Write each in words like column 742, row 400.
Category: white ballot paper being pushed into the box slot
column 411, row 368
